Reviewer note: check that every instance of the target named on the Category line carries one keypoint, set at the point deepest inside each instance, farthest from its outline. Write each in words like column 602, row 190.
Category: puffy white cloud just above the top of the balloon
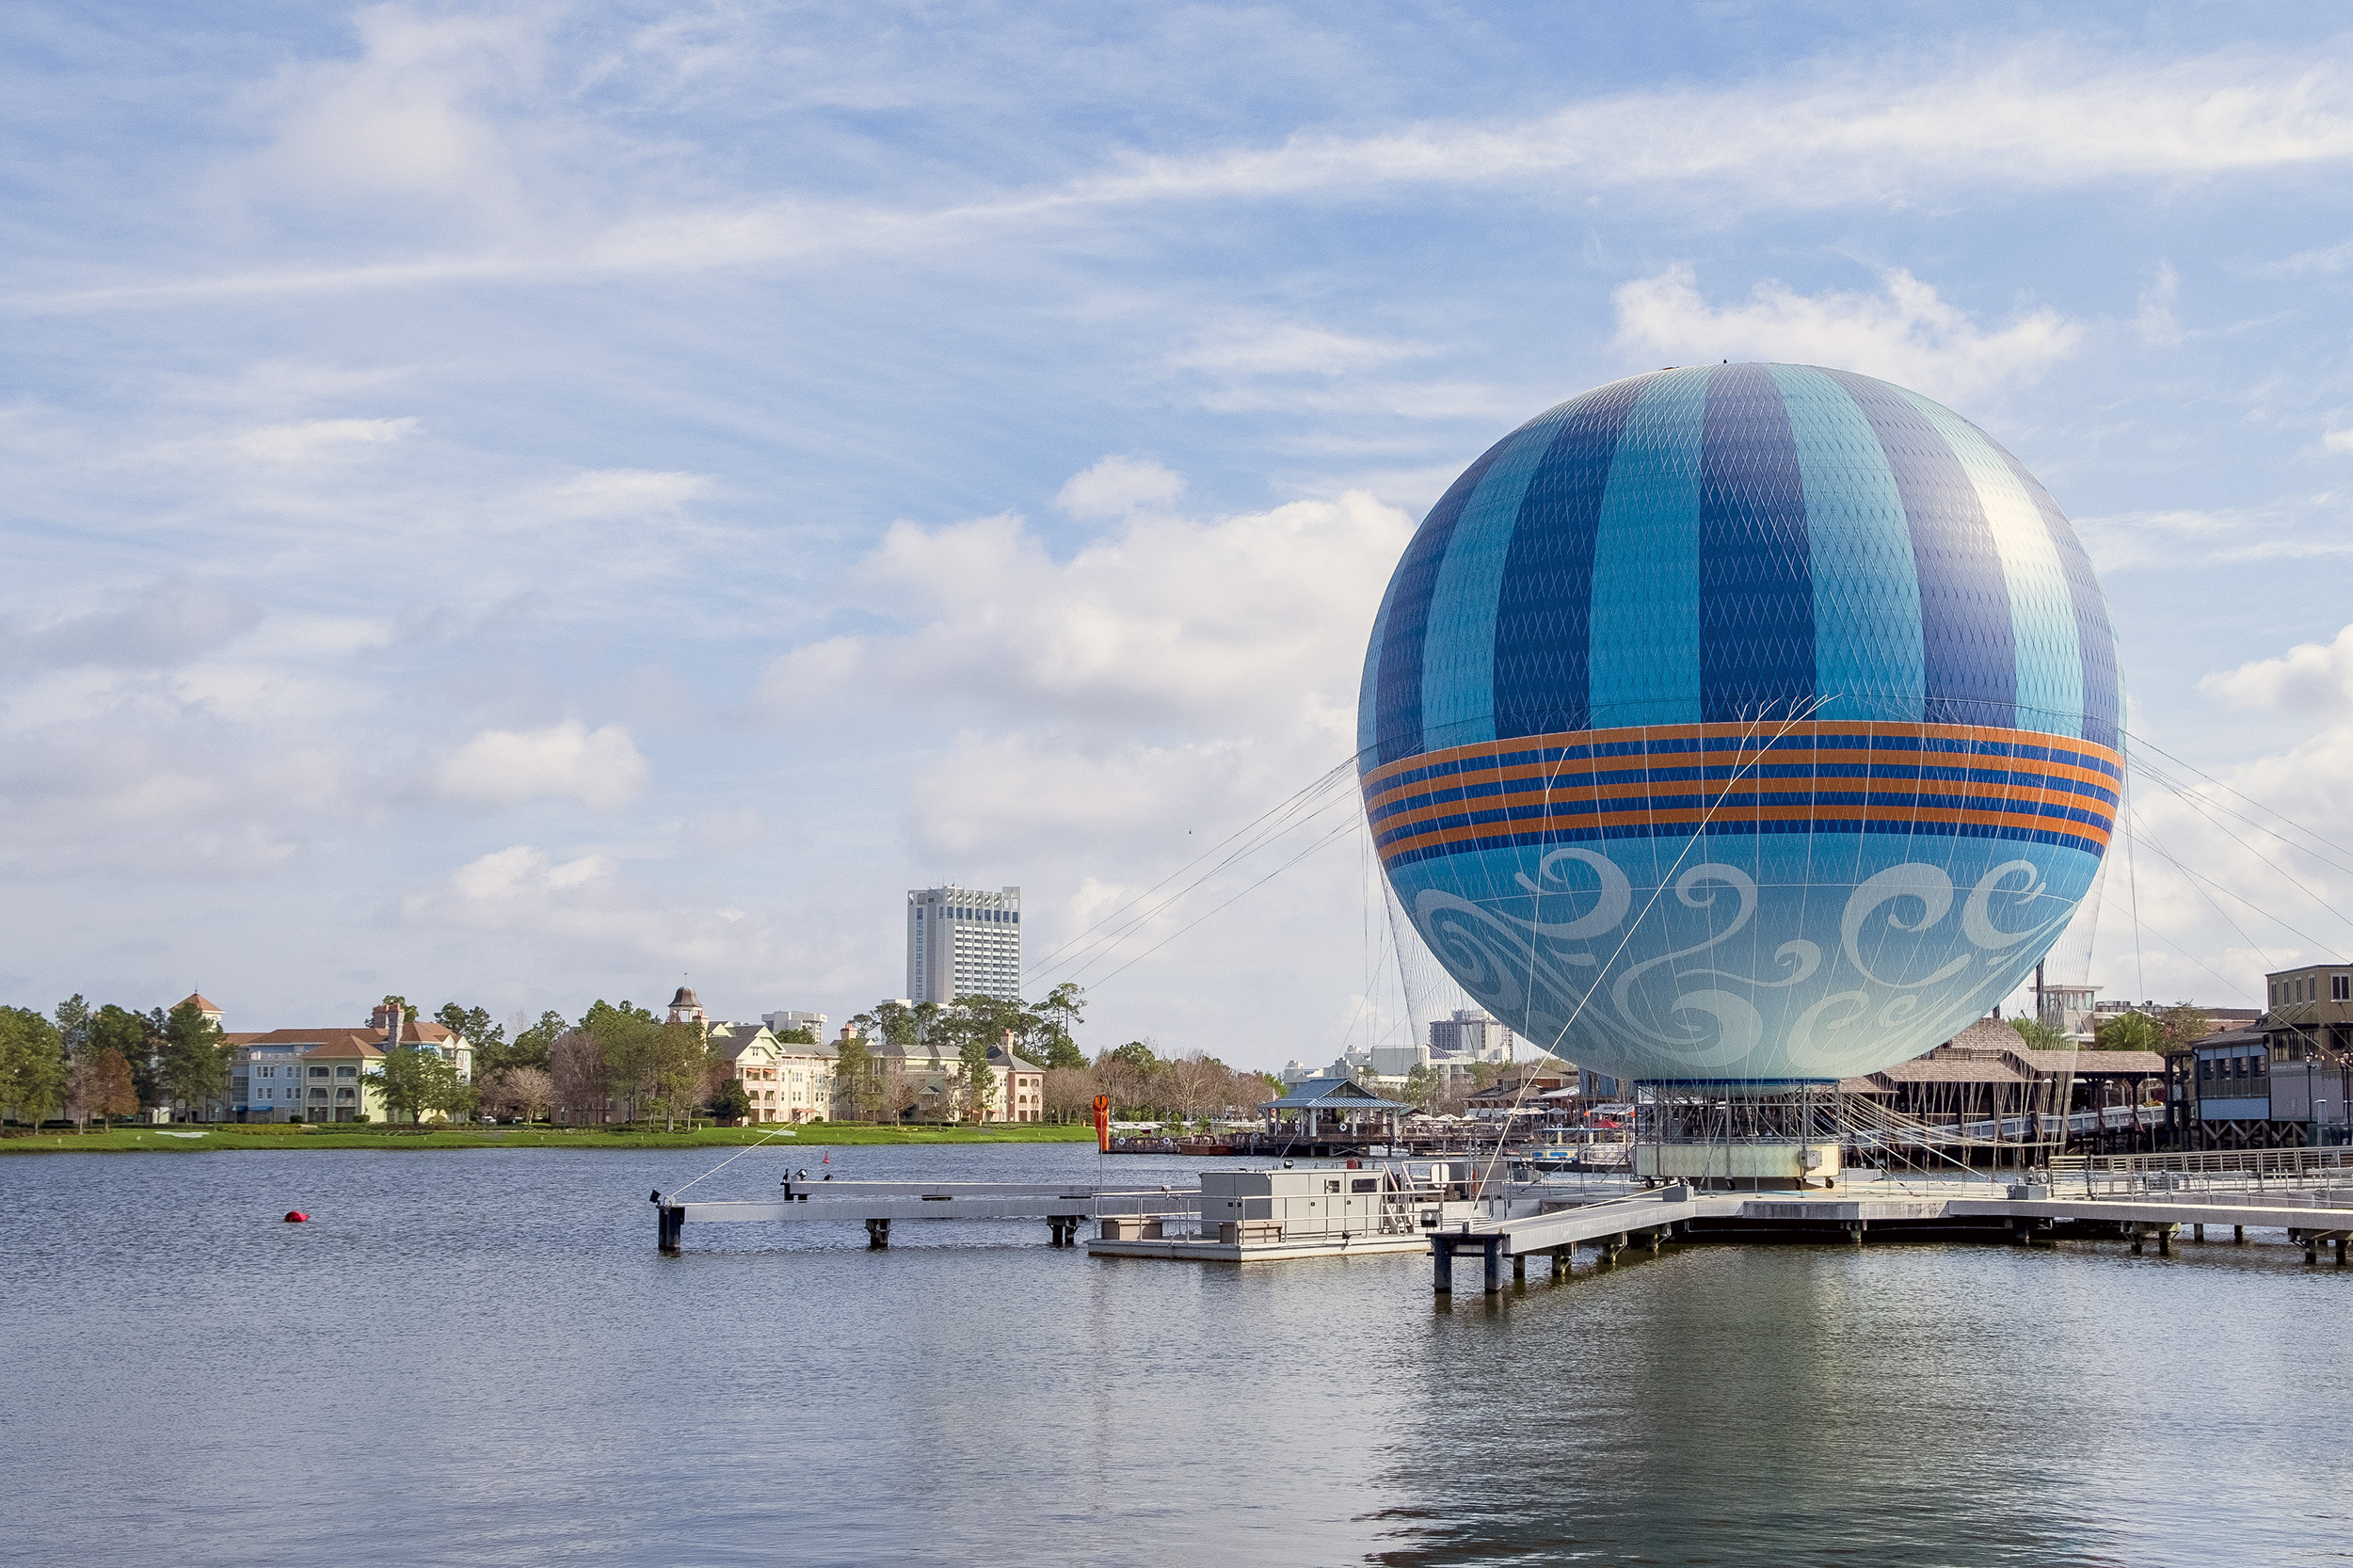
column 1902, row 335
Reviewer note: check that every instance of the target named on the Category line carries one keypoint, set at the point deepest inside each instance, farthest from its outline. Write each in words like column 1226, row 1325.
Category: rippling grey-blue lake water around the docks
column 481, row 1360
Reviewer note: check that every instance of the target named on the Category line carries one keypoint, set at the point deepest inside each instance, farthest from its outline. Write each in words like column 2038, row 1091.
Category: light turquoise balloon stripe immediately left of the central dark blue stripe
column 1644, row 639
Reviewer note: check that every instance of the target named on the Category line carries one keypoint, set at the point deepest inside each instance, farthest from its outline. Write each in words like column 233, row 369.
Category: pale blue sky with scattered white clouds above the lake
column 521, row 505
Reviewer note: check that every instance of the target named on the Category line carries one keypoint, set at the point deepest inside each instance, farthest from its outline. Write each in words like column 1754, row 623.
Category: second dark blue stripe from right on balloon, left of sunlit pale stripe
column 1968, row 663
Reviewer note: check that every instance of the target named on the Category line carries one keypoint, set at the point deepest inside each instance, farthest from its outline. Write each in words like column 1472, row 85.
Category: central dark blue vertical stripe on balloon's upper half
column 1757, row 585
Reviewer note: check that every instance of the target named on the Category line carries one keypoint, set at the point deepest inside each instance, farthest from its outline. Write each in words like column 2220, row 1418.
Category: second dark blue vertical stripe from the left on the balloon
column 1545, row 604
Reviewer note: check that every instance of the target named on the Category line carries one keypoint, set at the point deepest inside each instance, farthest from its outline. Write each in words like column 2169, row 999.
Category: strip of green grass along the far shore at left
column 192, row 1138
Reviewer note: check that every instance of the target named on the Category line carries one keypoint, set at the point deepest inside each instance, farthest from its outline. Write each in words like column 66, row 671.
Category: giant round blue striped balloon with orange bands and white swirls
column 1742, row 724
